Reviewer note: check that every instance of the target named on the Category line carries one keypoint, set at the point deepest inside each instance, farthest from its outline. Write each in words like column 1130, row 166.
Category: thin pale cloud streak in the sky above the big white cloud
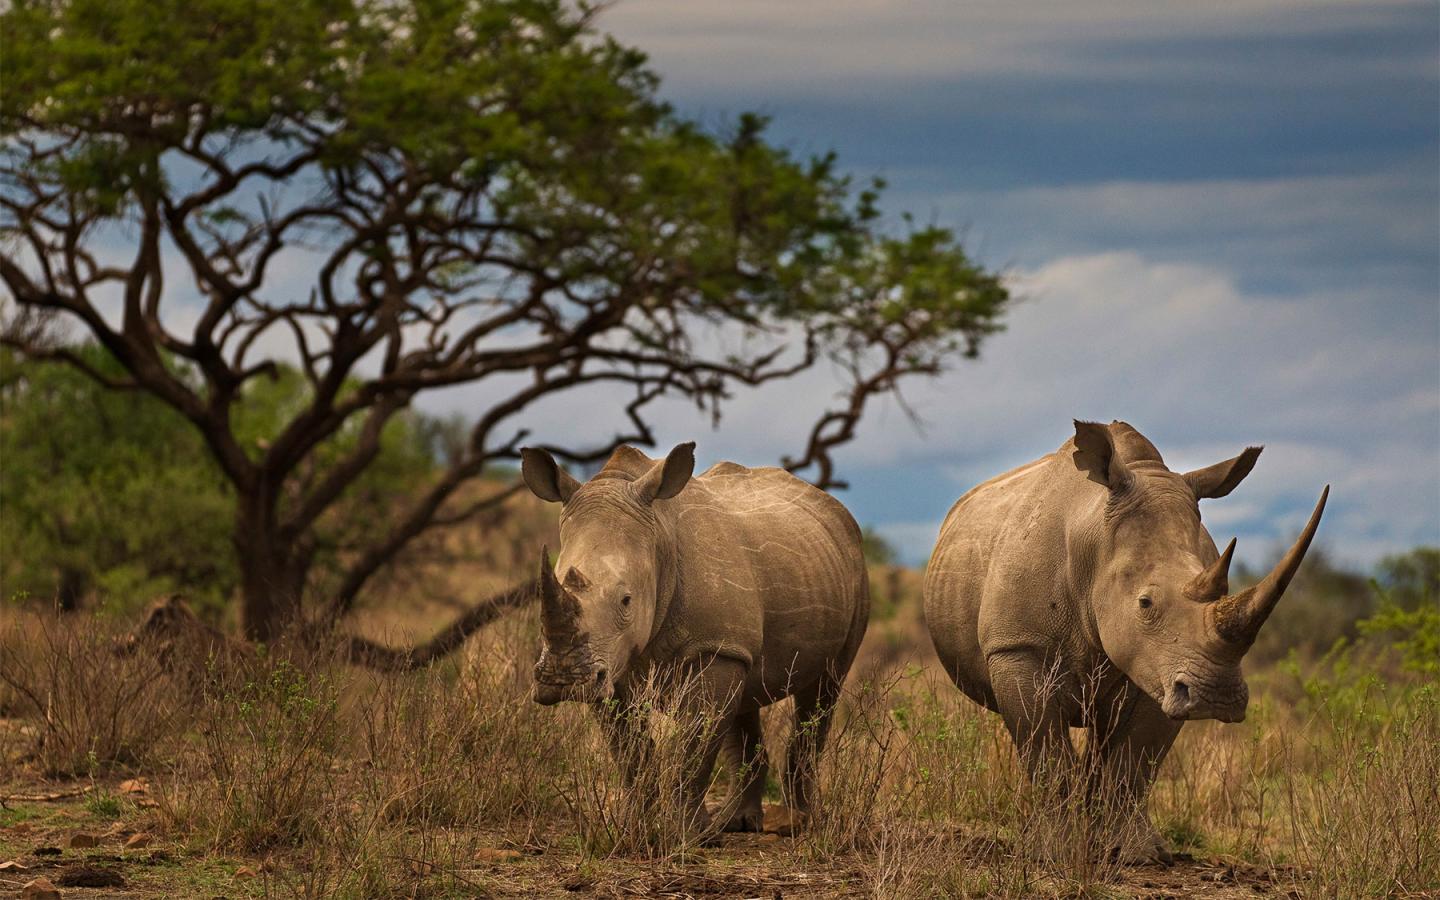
column 1374, row 230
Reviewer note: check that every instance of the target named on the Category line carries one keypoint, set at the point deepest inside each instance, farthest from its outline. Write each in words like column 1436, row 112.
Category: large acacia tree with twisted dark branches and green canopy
column 405, row 195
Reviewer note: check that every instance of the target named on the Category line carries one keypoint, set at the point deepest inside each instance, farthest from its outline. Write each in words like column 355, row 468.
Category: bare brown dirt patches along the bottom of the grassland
column 44, row 829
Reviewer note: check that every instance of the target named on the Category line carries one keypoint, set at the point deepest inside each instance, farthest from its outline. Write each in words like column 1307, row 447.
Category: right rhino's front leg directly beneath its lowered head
column 1131, row 744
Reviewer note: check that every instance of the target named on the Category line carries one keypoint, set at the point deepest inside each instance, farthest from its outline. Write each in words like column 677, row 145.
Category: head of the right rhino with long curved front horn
column 1161, row 601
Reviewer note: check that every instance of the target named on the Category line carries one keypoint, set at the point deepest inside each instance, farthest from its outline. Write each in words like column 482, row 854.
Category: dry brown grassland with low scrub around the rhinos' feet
column 290, row 773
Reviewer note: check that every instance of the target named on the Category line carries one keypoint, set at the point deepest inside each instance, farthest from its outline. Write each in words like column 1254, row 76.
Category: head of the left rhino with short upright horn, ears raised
column 601, row 601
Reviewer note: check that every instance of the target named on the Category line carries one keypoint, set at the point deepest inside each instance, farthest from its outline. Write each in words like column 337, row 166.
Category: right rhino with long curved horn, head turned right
column 1082, row 591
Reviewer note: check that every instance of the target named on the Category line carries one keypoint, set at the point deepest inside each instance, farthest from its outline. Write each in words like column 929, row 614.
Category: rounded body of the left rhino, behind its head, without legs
column 770, row 571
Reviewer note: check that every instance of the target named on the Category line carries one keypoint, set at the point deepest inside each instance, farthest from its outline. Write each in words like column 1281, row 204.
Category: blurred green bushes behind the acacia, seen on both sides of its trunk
column 114, row 495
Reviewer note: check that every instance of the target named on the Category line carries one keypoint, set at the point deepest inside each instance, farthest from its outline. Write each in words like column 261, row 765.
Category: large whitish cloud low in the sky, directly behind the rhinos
column 1197, row 364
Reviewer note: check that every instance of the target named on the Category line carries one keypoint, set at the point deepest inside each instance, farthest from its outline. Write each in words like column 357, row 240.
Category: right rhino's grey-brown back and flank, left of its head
column 1000, row 575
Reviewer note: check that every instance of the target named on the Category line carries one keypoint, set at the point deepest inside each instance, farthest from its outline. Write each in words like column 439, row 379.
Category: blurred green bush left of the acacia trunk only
column 106, row 492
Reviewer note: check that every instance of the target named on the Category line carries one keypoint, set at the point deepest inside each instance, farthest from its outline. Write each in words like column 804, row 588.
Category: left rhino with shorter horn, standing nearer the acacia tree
column 747, row 578
